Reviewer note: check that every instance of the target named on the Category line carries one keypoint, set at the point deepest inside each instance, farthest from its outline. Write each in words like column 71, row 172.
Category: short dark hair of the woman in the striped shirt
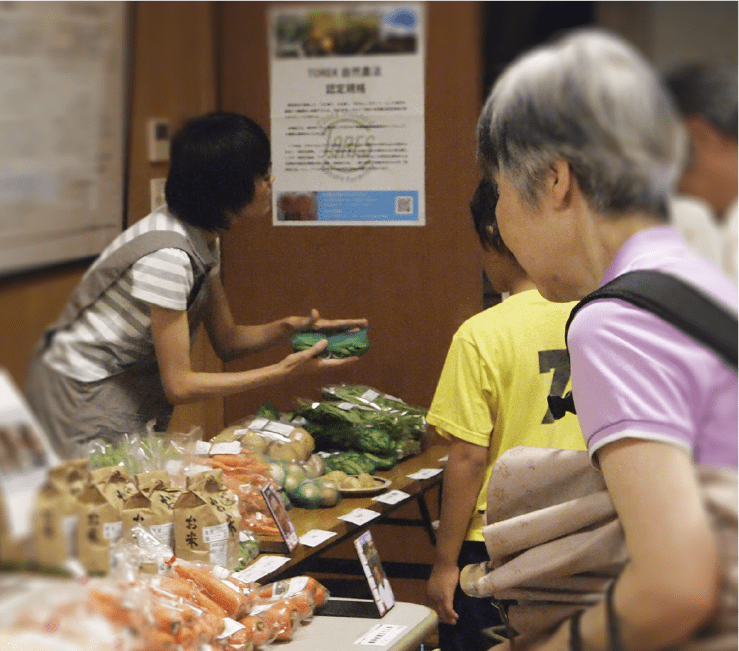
column 214, row 161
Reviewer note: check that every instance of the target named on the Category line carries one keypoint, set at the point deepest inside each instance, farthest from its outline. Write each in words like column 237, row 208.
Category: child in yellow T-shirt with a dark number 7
column 492, row 396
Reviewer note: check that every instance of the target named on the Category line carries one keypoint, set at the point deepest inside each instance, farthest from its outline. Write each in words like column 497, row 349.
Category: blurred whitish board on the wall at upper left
column 62, row 124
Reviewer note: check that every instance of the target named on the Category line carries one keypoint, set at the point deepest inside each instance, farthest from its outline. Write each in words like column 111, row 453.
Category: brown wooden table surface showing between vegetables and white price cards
column 306, row 520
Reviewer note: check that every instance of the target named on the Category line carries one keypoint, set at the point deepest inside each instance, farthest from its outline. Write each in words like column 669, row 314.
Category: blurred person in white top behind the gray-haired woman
column 706, row 94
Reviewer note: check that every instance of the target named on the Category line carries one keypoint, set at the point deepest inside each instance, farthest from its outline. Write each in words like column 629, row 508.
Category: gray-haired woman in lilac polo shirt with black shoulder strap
column 585, row 147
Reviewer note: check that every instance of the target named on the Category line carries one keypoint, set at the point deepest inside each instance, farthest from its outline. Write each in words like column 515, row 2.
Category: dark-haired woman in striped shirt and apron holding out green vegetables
column 119, row 355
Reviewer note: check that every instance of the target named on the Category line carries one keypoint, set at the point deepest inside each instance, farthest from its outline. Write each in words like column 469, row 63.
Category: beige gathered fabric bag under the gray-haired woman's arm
column 556, row 544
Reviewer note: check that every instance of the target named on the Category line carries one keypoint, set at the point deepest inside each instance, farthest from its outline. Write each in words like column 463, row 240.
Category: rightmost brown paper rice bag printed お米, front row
column 205, row 521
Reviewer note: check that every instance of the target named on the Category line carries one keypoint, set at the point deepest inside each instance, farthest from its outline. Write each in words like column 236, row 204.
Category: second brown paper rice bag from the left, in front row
column 100, row 524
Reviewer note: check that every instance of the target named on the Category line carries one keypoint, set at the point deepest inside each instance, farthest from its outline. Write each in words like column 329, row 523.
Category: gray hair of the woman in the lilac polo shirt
column 592, row 100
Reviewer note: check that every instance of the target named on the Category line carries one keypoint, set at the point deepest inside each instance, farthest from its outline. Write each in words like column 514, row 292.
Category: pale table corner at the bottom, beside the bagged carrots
column 343, row 633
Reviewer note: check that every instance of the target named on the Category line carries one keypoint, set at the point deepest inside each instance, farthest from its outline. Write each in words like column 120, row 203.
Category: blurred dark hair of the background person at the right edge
column 709, row 90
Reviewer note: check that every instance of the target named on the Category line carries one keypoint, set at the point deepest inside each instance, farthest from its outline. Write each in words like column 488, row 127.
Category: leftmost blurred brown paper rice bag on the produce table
column 55, row 517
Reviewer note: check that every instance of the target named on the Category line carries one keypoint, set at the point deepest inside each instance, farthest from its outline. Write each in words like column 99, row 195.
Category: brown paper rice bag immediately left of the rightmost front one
column 151, row 507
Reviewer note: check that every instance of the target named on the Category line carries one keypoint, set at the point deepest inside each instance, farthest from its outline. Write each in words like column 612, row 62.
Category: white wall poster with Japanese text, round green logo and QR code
column 347, row 113
